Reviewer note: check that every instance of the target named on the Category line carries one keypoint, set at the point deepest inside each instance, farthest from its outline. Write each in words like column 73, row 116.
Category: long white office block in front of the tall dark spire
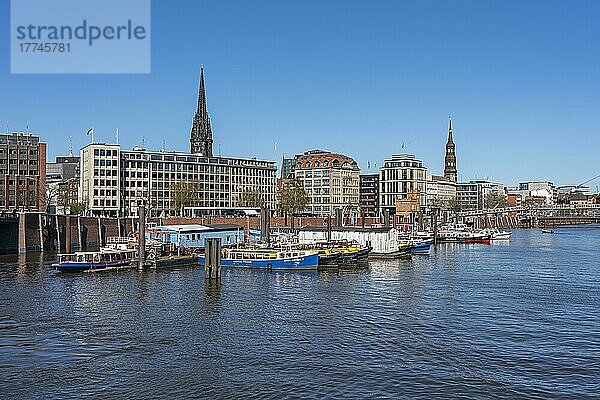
column 115, row 181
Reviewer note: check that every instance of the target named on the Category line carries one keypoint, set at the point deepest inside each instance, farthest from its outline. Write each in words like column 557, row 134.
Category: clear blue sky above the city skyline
column 521, row 80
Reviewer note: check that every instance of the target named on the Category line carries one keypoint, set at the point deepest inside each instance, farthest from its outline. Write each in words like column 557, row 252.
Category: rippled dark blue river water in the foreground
column 518, row 320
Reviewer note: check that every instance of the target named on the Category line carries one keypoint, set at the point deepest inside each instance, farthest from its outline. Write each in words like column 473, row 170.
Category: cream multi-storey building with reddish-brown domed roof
column 330, row 180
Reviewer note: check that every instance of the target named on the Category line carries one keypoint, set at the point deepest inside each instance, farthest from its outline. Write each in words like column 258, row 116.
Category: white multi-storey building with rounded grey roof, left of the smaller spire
column 398, row 176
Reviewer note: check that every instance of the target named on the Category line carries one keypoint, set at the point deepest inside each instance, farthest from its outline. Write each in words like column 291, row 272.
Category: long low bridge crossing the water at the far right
column 529, row 217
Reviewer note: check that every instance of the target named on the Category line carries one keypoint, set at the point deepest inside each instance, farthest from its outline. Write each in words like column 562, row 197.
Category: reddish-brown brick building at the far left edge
column 23, row 166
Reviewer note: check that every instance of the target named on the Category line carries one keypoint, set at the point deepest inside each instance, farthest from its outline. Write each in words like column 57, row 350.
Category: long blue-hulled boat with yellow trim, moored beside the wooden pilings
column 290, row 259
